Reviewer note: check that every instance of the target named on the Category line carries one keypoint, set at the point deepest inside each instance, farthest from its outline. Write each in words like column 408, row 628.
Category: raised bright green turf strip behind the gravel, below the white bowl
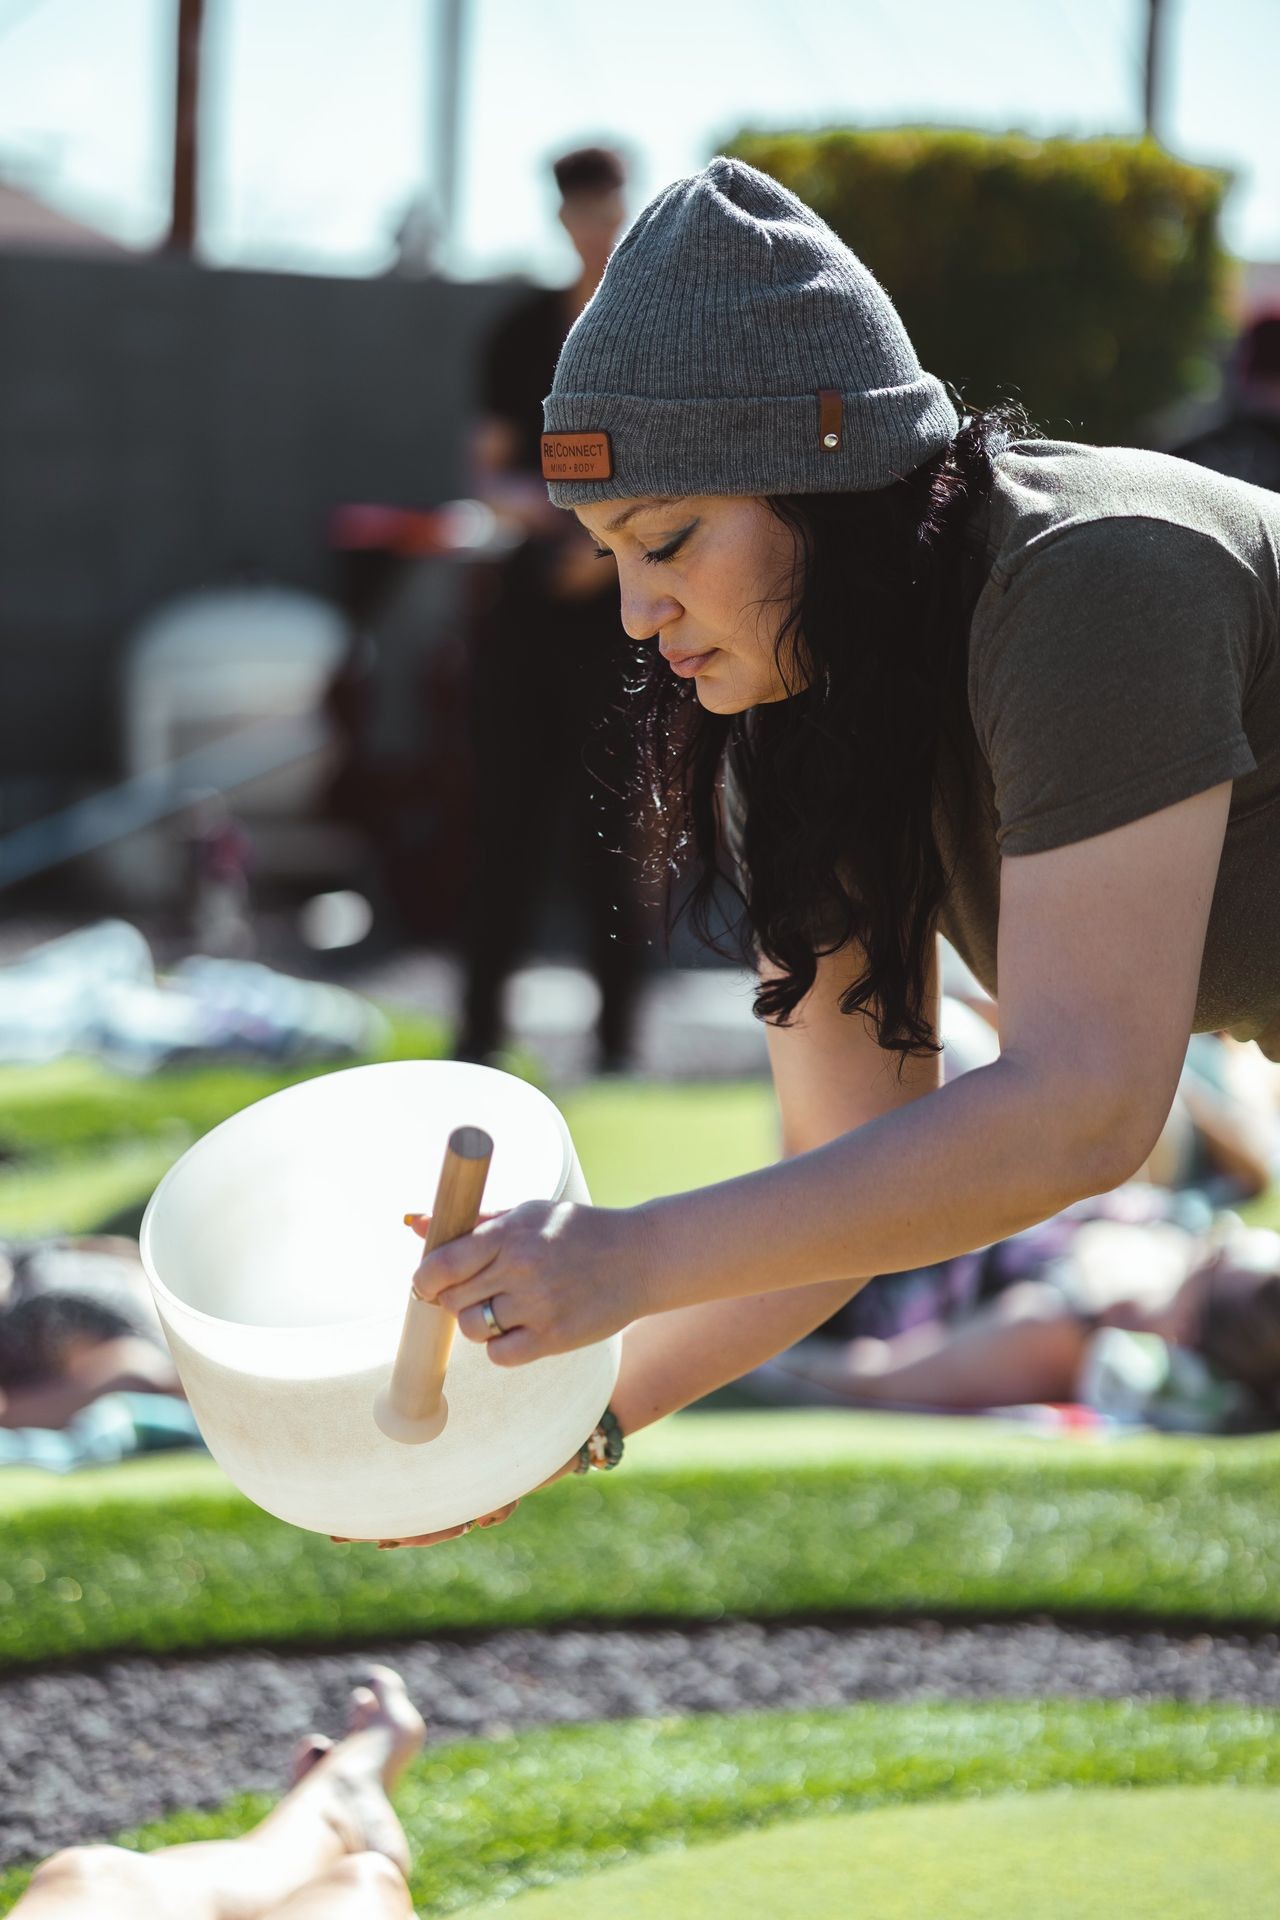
column 715, row 1514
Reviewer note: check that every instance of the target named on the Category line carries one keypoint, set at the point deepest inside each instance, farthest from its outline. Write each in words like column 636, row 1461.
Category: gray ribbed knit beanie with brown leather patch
column 738, row 347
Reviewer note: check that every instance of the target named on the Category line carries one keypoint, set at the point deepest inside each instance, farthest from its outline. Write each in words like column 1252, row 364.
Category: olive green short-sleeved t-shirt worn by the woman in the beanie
column 1124, row 656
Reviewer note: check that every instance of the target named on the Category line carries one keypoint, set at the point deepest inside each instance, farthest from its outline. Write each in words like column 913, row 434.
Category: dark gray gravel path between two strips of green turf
column 89, row 1752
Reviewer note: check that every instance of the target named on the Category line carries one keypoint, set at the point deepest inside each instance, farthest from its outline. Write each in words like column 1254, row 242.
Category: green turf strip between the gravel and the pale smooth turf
column 486, row 1819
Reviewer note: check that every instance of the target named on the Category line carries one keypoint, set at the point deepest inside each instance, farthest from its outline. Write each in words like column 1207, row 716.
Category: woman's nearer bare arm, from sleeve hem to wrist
column 1101, row 949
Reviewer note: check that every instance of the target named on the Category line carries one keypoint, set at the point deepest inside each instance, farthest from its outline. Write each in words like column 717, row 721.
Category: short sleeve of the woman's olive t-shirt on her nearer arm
column 1108, row 675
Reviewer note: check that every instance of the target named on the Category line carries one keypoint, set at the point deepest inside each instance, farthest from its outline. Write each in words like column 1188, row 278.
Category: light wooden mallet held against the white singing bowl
column 412, row 1406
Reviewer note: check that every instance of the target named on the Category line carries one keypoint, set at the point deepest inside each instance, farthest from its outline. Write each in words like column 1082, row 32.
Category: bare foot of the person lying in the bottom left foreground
column 383, row 1737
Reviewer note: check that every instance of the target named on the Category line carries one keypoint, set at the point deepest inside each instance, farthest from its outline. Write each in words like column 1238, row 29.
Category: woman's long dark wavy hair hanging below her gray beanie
column 836, row 784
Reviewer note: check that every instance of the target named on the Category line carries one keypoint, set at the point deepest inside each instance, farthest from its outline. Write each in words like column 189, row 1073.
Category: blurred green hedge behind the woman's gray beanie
column 1083, row 277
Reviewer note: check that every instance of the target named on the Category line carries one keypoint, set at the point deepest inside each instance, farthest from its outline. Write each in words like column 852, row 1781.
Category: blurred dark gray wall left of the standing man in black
column 166, row 427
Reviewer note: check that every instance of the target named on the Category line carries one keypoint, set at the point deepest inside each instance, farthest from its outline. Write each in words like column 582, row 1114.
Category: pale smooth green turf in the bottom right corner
column 1200, row 1854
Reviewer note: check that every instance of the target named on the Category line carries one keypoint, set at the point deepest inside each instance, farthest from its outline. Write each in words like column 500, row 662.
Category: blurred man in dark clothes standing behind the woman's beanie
column 548, row 661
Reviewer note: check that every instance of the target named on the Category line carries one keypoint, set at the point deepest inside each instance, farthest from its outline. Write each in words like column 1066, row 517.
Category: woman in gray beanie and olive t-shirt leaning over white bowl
column 1020, row 692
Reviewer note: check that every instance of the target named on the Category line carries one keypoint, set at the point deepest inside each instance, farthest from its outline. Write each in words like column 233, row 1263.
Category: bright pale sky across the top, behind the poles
column 318, row 112
